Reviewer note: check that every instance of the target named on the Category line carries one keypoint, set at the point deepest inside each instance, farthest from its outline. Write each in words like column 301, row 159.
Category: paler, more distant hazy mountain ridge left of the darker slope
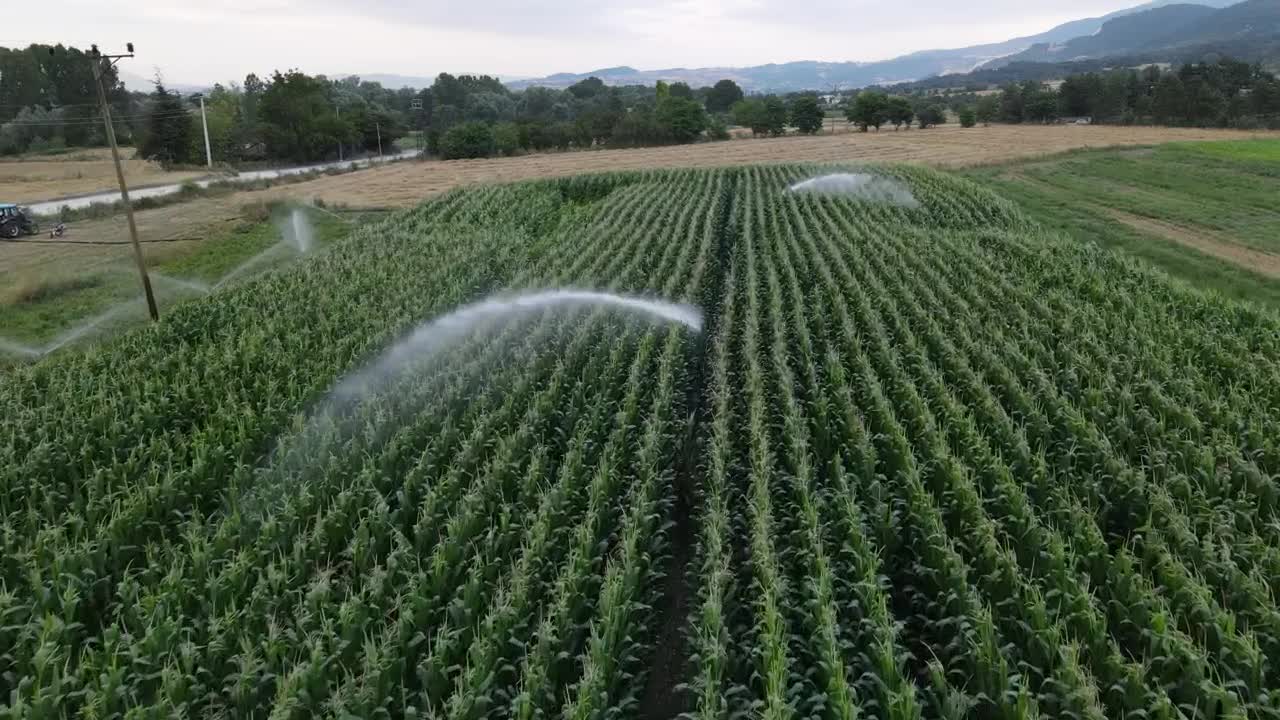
column 817, row 76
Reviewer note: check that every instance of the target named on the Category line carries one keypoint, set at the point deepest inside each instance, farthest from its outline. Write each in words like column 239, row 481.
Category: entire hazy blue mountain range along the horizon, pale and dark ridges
column 1165, row 30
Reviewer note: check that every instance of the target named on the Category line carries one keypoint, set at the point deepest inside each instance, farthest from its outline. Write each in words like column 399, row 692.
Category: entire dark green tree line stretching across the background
column 48, row 101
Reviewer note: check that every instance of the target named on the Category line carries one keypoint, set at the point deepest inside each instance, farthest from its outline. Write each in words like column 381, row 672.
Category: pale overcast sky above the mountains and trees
column 203, row 42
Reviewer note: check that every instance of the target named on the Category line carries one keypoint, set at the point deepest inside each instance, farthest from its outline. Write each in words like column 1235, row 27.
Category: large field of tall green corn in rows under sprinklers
column 925, row 462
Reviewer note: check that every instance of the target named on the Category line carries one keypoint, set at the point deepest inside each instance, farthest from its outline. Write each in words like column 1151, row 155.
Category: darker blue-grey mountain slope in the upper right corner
column 1238, row 29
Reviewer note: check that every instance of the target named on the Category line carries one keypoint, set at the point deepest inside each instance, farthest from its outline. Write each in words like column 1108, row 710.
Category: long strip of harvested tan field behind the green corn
column 408, row 184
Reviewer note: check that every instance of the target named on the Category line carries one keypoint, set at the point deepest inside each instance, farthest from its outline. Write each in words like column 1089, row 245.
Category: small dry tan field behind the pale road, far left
column 80, row 174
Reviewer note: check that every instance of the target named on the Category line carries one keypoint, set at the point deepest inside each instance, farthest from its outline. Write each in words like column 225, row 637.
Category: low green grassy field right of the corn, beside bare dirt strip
column 1223, row 188
